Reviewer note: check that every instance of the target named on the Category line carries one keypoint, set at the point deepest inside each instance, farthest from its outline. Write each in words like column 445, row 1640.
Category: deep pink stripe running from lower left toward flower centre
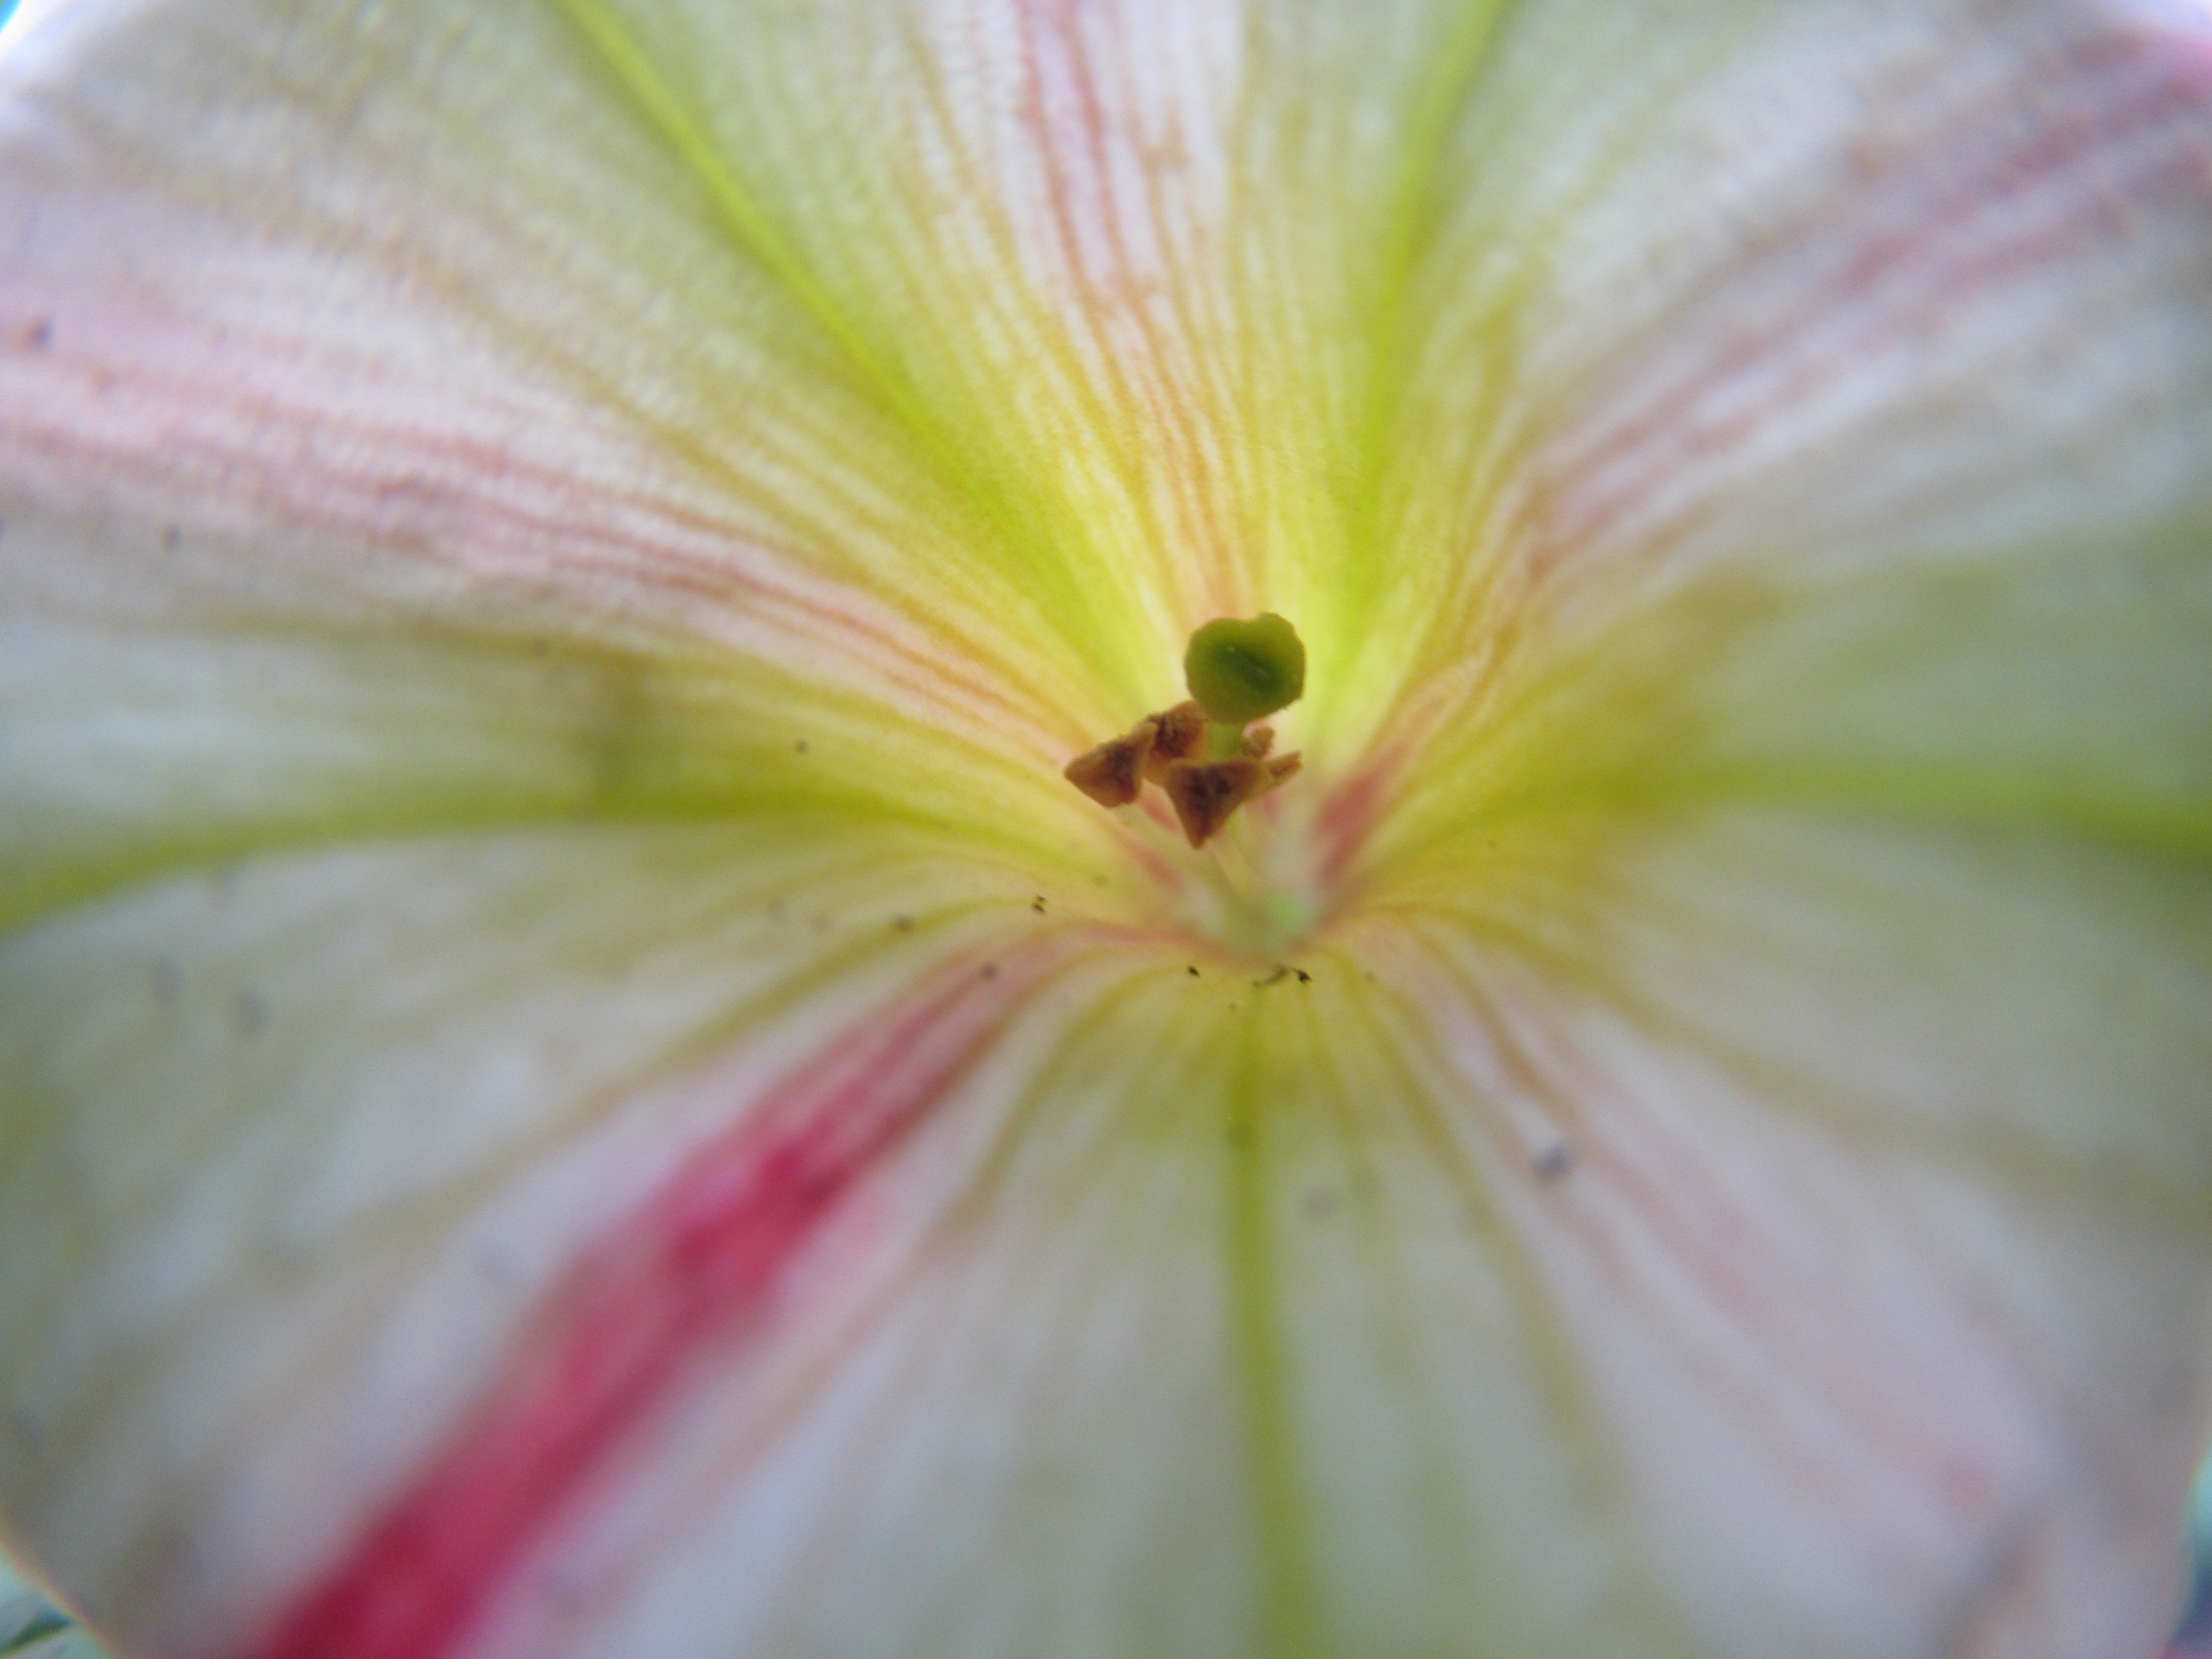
column 698, row 1264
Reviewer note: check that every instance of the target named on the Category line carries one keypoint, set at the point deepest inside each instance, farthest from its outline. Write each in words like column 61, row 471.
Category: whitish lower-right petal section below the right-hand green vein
column 1875, row 1173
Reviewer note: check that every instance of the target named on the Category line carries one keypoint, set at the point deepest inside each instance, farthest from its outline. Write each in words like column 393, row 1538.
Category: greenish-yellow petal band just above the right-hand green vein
column 2060, row 691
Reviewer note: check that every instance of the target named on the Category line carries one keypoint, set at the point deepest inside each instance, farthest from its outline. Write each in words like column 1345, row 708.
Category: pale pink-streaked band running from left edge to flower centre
column 273, row 424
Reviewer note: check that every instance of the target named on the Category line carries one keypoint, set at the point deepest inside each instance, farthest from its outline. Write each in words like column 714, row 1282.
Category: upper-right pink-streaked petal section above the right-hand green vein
column 1817, row 395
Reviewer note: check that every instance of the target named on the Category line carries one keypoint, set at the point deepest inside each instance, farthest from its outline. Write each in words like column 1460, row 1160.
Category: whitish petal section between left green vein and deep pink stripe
column 284, row 1187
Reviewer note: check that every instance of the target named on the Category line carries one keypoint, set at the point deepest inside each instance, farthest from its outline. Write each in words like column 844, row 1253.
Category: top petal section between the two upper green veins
column 1129, row 262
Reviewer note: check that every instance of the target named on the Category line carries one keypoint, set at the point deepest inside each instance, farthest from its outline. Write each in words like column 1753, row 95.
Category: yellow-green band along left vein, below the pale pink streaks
column 598, row 738
